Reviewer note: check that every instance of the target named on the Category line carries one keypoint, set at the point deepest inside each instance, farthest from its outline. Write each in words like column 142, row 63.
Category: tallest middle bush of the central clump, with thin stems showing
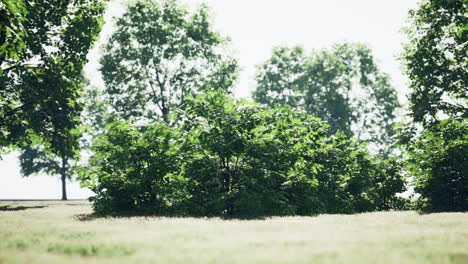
column 241, row 158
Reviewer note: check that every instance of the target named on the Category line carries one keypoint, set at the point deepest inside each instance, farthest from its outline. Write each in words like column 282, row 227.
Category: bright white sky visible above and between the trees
column 255, row 27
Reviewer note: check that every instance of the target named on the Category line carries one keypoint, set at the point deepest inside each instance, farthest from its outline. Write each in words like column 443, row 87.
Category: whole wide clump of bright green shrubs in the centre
column 231, row 158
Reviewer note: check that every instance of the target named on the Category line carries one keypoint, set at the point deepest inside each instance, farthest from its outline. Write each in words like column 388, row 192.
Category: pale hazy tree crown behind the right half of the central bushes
column 342, row 86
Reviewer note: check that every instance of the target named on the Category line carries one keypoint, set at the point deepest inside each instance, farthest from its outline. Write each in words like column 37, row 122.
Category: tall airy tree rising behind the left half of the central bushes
column 158, row 56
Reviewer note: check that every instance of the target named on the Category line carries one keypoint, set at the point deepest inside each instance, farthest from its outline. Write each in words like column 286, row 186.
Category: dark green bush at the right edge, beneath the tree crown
column 438, row 166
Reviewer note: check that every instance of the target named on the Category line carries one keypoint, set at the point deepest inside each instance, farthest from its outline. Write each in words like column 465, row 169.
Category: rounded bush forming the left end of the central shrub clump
column 135, row 172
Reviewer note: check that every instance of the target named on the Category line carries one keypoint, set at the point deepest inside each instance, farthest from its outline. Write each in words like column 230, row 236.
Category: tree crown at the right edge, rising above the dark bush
column 435, row 60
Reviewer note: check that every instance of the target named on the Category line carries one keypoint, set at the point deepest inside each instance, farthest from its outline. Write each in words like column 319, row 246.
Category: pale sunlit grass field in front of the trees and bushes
column 63, row 232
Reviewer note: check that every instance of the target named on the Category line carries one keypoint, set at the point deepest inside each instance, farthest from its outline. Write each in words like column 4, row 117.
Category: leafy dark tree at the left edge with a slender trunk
column 40, row 88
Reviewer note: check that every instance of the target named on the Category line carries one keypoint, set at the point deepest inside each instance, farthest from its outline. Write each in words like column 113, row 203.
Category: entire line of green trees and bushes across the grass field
column 167, row 137
